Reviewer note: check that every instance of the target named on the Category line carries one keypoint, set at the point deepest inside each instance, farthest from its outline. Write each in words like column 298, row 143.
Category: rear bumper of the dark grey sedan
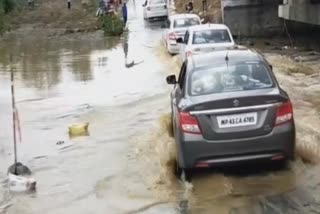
column 196, row 152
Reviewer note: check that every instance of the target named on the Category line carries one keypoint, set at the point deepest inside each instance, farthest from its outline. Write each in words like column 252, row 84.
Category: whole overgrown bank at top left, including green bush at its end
column 53, row 18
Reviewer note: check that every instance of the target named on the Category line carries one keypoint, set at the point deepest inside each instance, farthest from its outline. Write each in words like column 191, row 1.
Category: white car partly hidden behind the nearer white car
column 176, row 27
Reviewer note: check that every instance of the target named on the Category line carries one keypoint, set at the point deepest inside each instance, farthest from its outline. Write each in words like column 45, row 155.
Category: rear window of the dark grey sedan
column 230, row 78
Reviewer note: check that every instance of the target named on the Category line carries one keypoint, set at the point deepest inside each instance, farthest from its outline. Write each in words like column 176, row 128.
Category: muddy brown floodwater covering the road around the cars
column 125, row 164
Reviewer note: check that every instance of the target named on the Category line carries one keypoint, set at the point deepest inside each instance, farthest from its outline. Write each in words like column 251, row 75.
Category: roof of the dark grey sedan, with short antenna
column 235, row 54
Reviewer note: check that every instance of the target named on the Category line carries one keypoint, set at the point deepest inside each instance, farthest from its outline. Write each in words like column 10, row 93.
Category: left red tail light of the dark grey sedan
column 188, row 123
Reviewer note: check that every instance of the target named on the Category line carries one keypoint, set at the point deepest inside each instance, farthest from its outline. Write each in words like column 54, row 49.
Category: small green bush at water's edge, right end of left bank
column 112, row 25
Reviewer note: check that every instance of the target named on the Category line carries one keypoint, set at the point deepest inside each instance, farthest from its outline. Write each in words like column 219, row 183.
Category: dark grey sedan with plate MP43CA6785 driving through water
column 227, row 106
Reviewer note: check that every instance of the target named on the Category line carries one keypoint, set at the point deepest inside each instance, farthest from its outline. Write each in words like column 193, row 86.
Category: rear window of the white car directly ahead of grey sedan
column 211, row 36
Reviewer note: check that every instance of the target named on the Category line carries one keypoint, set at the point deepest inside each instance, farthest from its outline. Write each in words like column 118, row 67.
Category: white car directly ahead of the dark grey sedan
column 204, row 38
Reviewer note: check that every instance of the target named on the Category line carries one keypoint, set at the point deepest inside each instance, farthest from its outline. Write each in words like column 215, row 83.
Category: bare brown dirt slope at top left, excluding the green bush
column 48, row 15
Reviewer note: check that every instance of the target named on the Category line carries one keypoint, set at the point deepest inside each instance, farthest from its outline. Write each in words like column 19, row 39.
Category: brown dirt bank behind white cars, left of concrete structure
column 211, row 14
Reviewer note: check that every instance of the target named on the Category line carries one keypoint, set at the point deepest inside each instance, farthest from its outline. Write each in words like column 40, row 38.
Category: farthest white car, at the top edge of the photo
column 155, row 9
